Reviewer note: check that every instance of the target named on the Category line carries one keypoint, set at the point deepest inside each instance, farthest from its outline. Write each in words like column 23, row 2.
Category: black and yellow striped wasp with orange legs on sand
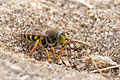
column 49, row 38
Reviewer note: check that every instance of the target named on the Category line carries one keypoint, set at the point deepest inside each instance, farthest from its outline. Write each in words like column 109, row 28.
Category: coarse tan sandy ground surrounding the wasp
column 94, row 26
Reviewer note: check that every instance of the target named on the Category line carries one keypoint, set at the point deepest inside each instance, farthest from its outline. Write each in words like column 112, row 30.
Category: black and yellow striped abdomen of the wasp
column 30, row 34
